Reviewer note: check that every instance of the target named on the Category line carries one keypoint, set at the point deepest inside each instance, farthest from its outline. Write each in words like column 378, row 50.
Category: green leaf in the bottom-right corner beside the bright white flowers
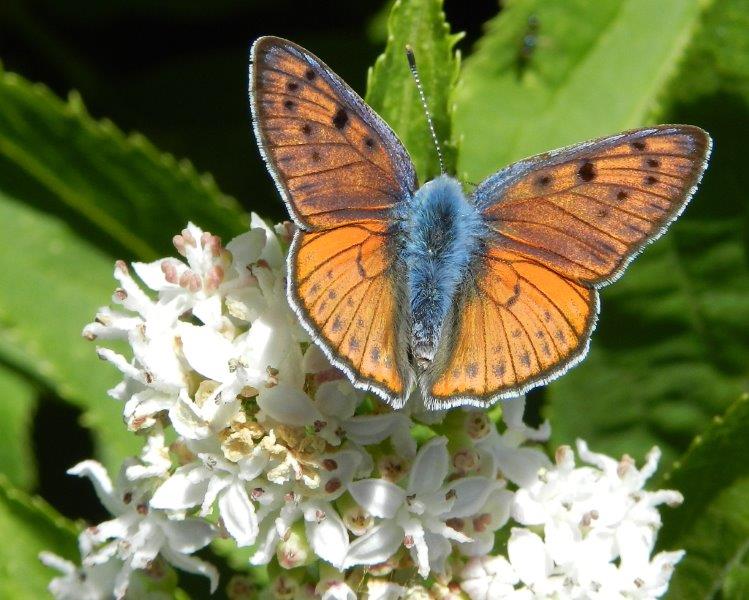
column 716, row 543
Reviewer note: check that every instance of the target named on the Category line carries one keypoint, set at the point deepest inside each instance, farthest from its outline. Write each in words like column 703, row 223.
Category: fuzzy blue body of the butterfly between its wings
column 442, row 235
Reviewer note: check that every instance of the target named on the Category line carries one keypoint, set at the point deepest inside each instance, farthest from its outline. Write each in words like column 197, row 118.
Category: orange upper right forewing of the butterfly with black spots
column 585, row 211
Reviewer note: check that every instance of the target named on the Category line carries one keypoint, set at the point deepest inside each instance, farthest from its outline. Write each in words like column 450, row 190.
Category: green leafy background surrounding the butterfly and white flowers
column 672, row 347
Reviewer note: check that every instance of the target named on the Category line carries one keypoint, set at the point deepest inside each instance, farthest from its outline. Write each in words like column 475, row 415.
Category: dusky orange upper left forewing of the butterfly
column 332, row 157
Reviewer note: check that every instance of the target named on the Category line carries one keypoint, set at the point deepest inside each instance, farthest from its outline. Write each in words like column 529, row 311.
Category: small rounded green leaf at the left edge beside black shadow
column 17, row 408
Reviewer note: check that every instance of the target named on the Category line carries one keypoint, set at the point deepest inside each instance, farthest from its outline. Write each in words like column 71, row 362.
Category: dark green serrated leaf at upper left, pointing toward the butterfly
column 118, row 191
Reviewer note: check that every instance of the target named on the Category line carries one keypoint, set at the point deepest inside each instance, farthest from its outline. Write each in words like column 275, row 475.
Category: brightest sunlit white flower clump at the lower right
column 598, row 527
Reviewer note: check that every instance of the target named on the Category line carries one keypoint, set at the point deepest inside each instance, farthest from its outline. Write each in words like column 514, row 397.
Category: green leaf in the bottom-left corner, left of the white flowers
column 28, row 525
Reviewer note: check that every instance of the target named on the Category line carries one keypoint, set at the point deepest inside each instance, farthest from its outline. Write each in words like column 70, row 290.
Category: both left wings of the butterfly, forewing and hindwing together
column 342, row 173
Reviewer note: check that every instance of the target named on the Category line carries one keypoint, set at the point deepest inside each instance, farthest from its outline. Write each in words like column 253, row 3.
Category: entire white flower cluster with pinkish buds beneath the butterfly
column 251, row 435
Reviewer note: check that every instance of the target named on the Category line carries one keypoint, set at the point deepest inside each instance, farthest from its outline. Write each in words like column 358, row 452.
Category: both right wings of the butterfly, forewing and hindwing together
column 562, row 225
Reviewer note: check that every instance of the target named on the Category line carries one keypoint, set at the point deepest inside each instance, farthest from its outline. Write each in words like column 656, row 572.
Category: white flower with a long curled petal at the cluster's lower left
column 137, row 534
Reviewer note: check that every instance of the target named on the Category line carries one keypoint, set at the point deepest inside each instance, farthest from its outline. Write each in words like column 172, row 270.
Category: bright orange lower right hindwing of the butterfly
column 516, row 325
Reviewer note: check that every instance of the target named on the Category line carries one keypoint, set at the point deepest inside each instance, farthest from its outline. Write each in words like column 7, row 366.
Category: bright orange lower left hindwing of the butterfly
column 342, row 280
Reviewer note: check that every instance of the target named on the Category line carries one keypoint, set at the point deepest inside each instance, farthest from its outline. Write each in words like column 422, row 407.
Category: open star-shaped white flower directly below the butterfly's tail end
column 416, row 516
